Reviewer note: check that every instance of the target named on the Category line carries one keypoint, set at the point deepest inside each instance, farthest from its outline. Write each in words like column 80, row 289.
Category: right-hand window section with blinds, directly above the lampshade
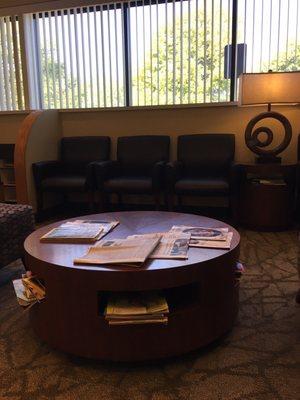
column 271, row 31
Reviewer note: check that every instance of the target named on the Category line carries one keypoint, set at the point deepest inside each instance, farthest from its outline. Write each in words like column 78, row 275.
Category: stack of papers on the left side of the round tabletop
column 79, row 231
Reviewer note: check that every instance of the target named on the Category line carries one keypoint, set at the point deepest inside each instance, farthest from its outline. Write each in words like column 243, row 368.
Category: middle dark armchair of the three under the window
column 139, row 168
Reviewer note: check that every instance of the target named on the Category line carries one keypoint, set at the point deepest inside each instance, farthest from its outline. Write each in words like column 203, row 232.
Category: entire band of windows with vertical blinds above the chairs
column 144, row 52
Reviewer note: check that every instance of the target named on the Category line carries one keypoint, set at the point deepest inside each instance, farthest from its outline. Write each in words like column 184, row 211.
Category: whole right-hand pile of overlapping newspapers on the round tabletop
column 215, row 238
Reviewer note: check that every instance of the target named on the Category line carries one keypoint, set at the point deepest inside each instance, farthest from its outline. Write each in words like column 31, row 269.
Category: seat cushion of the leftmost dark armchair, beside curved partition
column 64, row 183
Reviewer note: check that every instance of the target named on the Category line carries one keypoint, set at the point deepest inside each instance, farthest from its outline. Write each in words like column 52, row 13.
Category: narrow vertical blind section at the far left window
column 11, row 81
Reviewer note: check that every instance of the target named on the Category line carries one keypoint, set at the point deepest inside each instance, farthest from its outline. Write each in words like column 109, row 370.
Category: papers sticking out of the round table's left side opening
column 29, row 290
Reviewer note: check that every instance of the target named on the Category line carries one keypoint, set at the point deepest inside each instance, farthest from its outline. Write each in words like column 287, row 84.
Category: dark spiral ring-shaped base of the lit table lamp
column 257, row 145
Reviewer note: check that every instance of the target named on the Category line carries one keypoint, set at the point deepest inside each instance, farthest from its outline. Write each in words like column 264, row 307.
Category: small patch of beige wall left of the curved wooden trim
column 9, row 126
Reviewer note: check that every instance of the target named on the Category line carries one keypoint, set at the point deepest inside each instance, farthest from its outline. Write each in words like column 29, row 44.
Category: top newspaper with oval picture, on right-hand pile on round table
column 202, row 233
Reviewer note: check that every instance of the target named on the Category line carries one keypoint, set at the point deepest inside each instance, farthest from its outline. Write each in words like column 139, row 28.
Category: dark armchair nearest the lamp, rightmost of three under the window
column 203, row 167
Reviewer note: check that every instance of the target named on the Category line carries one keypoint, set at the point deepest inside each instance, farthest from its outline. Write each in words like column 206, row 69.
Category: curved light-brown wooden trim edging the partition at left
column 20, row 157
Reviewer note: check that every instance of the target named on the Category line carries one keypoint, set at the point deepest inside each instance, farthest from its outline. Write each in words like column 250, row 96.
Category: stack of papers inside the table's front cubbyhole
column 136, row 308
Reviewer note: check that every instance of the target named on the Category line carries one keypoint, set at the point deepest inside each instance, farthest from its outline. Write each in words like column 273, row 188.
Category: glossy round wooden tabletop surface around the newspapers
column 132, row 222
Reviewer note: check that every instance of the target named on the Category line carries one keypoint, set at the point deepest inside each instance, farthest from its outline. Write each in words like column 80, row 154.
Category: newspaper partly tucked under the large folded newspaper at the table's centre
column 172, row 245
